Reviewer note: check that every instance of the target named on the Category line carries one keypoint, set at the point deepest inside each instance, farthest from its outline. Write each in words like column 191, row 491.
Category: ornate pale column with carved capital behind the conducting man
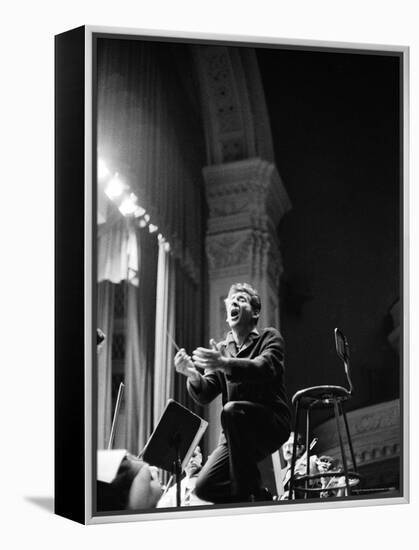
column 246, row 201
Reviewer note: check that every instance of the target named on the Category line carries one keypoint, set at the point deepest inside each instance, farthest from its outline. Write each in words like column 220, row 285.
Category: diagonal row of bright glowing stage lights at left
column 119, row 192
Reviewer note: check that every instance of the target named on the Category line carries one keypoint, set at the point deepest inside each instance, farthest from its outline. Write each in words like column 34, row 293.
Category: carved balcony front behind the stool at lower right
column 375, row 433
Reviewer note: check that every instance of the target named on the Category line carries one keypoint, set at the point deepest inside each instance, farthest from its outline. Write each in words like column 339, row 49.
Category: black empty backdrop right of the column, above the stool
column 335, row 125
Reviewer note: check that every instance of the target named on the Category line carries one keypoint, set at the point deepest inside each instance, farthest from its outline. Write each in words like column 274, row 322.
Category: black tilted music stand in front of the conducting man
column 173, row 441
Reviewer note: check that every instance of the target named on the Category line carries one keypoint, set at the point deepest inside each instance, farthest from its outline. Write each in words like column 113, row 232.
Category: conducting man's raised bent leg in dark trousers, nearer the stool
column 252, row 432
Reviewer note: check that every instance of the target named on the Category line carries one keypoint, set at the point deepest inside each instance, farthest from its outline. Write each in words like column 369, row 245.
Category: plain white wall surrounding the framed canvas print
column 27, row 271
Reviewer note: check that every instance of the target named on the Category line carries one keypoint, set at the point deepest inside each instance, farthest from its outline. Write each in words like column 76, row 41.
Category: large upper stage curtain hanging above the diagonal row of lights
column 149, row 135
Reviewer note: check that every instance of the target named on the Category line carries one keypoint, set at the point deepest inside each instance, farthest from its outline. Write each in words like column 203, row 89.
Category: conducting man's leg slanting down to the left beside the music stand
column 213, row 483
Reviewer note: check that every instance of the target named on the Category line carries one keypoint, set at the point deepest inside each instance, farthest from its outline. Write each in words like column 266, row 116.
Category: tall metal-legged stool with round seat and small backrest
column 318, row 397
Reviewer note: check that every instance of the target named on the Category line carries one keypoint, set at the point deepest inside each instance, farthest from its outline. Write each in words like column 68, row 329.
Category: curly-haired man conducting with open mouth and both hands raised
column 247, row 368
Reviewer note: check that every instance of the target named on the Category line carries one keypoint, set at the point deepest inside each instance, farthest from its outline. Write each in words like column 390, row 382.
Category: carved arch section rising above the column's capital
column 234, row 108
